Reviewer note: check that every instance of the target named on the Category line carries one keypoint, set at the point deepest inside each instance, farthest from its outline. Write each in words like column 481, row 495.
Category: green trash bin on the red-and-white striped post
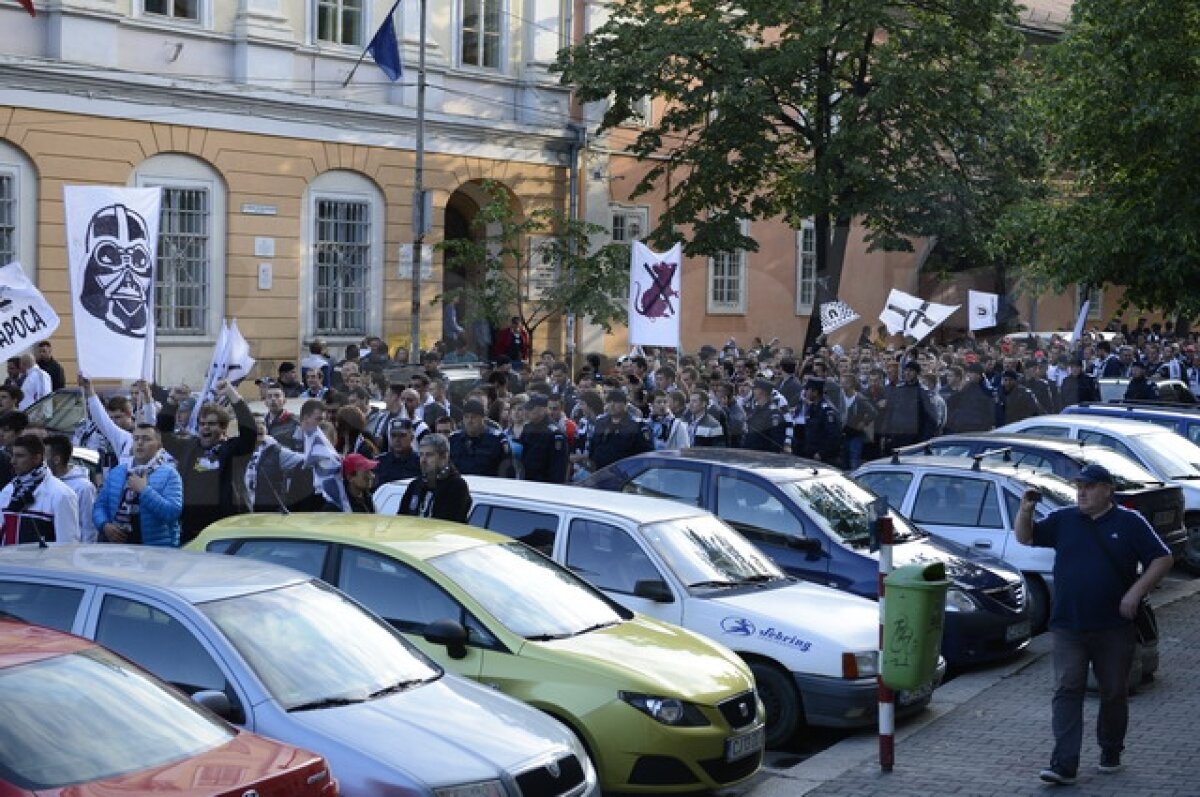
column 914, row 614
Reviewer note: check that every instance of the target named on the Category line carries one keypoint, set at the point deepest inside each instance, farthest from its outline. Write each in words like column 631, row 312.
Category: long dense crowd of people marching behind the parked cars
column 167, row 468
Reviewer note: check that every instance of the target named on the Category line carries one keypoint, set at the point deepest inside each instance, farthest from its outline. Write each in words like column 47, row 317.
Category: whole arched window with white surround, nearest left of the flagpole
column 344, row 231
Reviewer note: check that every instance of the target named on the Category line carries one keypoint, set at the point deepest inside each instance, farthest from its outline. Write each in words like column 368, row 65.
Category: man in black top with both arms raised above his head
column 207, row 462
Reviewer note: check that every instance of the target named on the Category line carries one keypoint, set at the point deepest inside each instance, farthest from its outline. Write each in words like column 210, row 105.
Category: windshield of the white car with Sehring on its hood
column 703, row 550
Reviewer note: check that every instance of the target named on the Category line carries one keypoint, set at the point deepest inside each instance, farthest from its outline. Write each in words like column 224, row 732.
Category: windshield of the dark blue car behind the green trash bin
column 844, row 510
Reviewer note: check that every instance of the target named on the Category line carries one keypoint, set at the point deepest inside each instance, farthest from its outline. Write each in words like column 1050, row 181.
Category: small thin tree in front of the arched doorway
column 538, row 267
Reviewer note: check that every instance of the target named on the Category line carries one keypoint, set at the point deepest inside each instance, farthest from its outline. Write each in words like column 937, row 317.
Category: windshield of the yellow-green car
column 526, row 592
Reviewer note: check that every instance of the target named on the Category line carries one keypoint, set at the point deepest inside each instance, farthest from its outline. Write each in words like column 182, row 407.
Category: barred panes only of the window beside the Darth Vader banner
column 182, row 291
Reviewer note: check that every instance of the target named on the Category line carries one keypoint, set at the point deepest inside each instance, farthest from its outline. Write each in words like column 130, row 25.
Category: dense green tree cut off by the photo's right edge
column 1121, row 107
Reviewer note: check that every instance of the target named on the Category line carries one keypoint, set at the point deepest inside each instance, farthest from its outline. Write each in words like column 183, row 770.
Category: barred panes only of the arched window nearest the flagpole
column 343, row 262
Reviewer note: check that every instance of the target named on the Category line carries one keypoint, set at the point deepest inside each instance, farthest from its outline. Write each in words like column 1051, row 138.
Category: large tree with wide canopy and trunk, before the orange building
column 897, row 113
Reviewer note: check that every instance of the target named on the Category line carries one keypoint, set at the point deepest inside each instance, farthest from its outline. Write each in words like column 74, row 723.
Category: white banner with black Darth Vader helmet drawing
column 112, row 249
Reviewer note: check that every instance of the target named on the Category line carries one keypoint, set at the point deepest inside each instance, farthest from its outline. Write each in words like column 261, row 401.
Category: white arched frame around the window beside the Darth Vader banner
column 188, row 172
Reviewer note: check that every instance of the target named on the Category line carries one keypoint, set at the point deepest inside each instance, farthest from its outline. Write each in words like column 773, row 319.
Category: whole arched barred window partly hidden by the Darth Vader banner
column 190, row 280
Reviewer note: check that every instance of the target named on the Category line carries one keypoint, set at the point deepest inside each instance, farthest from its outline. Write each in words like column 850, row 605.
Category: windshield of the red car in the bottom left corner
column 91, row 716
